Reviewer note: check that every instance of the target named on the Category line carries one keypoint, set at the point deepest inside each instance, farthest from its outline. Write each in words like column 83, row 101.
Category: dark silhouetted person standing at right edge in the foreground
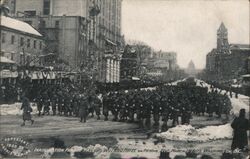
column 240, row 126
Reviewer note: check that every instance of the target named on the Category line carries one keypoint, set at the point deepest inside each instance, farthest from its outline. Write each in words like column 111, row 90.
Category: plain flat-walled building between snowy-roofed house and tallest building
column 65, row 37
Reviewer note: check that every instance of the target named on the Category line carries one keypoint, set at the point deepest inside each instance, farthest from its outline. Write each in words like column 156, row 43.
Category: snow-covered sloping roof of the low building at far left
column 18, row 25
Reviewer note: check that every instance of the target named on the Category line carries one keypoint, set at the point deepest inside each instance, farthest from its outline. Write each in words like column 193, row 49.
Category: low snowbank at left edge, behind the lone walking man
column 14, row 109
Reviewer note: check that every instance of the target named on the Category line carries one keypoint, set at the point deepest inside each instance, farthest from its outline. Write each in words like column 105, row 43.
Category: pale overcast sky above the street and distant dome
column 187, row 27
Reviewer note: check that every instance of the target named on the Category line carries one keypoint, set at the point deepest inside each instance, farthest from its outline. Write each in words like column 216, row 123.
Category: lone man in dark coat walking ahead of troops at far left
column 26, row 111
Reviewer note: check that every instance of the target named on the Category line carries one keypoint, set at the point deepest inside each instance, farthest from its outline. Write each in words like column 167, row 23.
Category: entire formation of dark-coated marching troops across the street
column 147, row 107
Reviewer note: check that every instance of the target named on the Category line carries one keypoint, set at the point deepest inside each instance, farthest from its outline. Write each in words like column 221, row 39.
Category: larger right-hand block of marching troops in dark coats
column 165, row 103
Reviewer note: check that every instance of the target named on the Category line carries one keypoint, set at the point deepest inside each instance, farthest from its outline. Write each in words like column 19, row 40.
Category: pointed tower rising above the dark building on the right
column 222, row 39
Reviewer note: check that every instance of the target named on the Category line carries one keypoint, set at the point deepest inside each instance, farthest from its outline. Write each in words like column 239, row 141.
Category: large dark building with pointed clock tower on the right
column 227, row 61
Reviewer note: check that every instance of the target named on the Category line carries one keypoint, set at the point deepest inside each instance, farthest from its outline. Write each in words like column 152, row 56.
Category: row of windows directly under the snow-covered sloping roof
column 22, row 41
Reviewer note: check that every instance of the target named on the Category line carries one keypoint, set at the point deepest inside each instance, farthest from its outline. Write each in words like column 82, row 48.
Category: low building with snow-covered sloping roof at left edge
column 20, row 42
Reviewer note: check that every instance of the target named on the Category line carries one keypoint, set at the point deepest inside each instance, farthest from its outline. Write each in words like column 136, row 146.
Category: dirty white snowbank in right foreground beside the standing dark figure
column 189, row 133
